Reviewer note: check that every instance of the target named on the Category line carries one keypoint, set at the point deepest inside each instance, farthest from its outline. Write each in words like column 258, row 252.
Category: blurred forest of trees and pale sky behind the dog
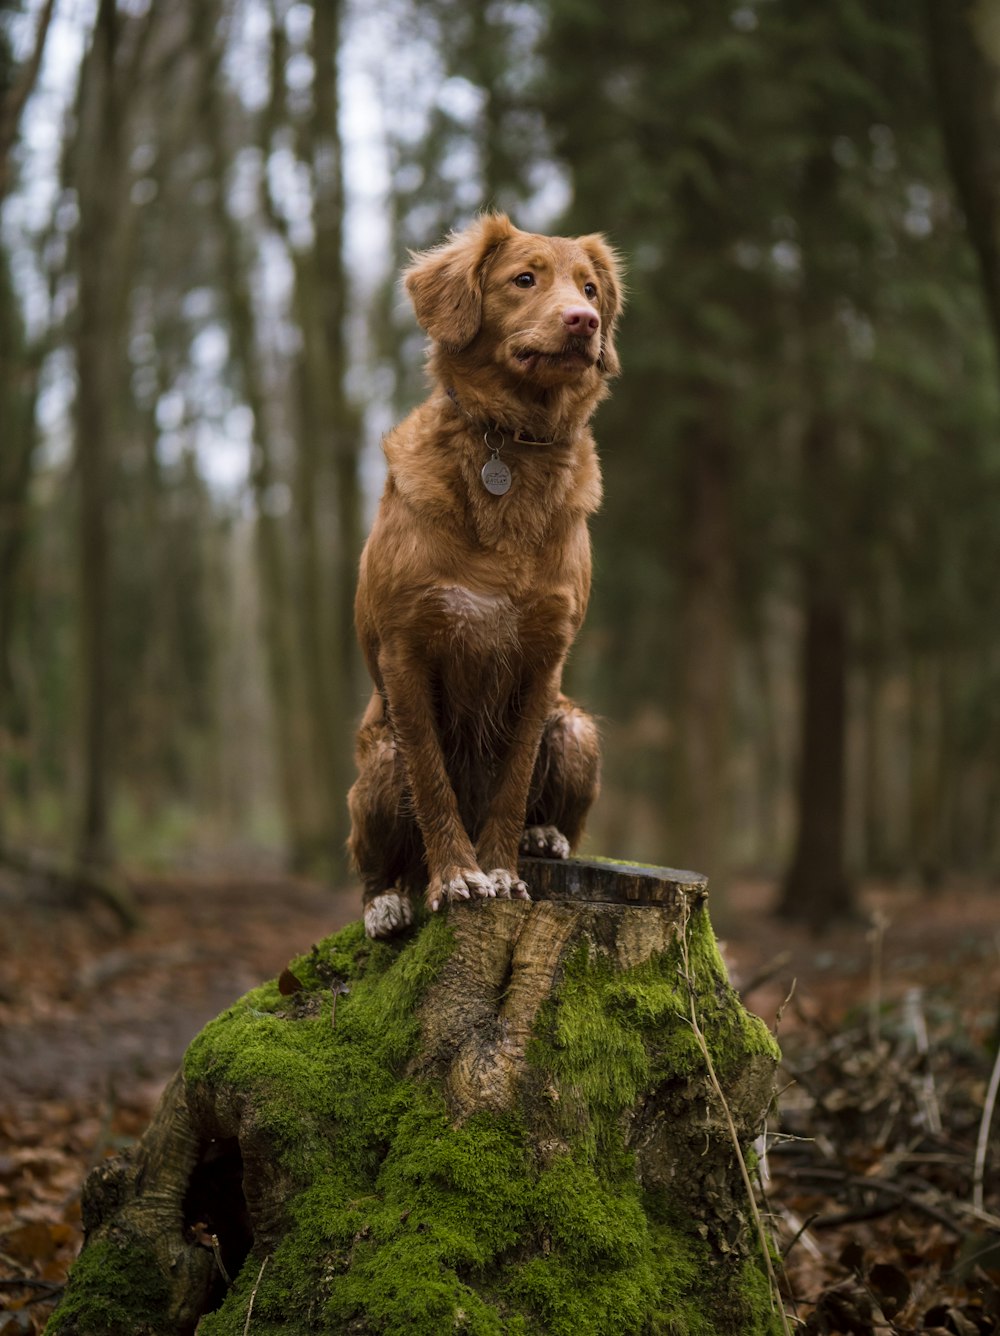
column 795, row 634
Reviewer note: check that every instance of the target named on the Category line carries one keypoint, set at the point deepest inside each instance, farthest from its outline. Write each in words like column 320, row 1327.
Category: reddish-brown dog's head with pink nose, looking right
column 543, row 309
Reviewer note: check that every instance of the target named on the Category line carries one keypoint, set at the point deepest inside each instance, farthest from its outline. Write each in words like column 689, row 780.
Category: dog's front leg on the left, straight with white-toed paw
column 452, row 866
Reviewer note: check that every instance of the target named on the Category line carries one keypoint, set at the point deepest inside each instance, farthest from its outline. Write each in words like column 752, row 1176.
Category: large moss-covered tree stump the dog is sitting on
column 501, row 1123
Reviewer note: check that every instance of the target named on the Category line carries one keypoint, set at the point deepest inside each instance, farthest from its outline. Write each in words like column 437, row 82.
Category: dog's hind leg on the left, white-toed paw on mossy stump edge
column 385, row 842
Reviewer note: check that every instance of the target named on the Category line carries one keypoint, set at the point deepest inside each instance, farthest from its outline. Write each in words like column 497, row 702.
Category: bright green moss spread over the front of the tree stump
column 408, row 1226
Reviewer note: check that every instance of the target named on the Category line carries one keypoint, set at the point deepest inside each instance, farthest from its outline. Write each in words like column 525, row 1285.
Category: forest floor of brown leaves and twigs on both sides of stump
column 889, row 1039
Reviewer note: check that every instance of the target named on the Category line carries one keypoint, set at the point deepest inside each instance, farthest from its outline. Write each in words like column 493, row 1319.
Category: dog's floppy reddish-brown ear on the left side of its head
column 445, row 284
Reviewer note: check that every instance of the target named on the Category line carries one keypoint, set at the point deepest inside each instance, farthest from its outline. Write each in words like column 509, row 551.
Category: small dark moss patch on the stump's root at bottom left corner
column 118, row 1290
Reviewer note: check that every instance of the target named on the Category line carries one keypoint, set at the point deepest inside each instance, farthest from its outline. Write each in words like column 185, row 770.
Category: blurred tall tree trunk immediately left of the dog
column 326, row 487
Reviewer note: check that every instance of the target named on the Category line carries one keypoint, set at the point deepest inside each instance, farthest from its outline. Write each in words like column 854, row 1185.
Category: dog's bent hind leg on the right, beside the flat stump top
column 565, row 784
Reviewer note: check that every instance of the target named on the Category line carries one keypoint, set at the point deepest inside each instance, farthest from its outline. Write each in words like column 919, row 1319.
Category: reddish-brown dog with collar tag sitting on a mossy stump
column 476, row 575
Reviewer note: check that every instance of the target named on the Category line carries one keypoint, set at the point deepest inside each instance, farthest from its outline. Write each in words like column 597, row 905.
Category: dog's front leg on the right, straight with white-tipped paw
column 505, row 821
